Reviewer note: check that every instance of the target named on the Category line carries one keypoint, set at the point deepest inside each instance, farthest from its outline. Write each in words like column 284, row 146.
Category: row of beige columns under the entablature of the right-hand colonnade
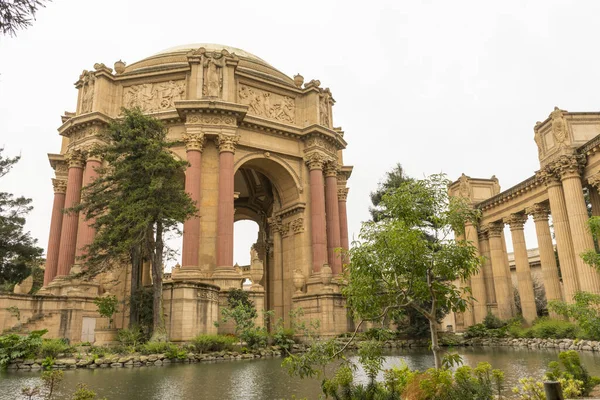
column 492, row 286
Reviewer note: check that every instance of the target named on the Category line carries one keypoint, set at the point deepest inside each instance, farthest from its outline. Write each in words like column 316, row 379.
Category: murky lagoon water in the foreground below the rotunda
column 264, row 378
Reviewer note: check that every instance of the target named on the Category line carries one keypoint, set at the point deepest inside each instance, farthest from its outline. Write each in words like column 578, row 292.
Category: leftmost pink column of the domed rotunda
column 60, row 187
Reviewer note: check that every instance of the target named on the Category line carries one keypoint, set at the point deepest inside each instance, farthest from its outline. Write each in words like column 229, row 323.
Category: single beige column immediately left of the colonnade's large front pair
column 540, row 213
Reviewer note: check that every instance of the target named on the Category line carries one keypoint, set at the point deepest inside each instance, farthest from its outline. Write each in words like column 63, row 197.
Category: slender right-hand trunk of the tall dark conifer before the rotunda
column 159, row 333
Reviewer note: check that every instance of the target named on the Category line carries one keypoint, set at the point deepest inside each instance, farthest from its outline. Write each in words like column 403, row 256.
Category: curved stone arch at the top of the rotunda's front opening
column 283, row 177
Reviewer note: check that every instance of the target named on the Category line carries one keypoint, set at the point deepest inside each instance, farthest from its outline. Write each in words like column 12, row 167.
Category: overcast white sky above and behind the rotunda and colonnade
column 451, row 86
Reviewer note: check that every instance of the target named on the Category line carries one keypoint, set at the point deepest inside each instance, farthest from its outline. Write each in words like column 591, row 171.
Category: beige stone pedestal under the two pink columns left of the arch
column 191, row 309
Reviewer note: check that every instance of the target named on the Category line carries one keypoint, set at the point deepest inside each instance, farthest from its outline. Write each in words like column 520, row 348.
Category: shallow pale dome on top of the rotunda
column 176, row 57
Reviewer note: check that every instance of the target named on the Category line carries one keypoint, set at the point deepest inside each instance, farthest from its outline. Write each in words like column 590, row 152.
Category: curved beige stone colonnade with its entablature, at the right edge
column 568, row 151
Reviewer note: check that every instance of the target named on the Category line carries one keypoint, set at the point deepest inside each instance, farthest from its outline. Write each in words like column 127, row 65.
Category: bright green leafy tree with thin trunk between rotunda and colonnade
column 410, row 258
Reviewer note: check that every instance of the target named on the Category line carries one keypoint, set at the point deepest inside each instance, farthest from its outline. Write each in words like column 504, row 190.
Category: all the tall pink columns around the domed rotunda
column 69, row 234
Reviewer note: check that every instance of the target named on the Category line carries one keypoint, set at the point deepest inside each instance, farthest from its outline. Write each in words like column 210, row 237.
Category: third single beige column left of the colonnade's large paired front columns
column 504, row 293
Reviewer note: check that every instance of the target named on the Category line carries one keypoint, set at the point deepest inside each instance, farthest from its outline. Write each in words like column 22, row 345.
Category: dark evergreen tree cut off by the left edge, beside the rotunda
column 18, row 250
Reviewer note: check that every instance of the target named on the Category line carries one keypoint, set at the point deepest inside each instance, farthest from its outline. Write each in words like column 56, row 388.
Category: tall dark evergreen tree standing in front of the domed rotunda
column 136, row 199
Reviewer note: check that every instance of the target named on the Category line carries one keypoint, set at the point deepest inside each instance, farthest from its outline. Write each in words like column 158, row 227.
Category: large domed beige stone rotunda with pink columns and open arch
column 261, row 146
